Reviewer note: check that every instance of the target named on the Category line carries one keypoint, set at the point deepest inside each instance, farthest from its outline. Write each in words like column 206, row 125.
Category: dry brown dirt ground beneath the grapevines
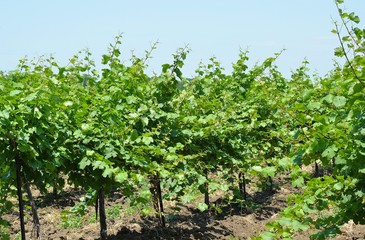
column 189, row 223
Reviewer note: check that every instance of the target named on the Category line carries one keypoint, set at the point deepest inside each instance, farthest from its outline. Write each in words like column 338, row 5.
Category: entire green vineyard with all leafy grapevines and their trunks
column 152, row 140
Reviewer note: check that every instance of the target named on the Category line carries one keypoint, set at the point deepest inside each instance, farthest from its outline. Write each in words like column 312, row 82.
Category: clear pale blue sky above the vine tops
column 211, row 28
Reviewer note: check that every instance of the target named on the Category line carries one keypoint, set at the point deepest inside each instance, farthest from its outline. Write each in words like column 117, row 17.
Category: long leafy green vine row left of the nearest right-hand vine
column 124, row 128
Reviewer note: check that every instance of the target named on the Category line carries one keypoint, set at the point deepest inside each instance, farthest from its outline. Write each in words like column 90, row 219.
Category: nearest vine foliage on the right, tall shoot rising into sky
column 328, row 122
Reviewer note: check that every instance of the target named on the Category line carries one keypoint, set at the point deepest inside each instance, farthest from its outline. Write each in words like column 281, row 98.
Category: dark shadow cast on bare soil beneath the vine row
column 193, row 224
